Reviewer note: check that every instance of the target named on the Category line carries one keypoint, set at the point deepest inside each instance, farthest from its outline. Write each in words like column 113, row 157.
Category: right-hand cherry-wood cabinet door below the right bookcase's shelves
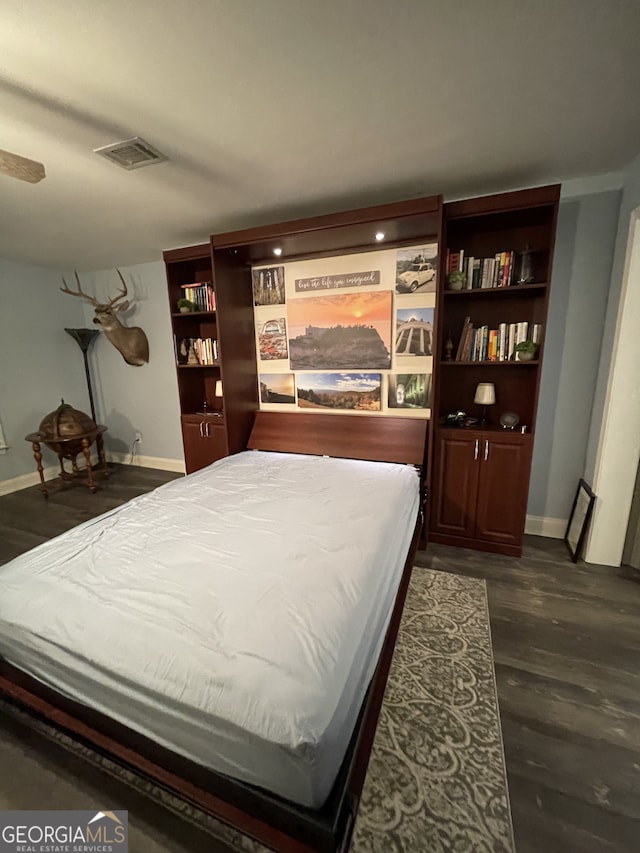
column 503, row 488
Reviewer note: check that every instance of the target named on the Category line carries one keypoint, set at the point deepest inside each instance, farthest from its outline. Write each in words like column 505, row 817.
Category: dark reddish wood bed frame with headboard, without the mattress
column 276, row 823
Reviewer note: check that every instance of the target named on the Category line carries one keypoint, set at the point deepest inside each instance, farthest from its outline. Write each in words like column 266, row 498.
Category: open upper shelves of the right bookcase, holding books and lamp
column 520, row 224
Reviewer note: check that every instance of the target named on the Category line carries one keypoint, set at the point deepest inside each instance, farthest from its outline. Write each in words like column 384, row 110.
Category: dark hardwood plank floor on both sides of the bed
column 566, row 642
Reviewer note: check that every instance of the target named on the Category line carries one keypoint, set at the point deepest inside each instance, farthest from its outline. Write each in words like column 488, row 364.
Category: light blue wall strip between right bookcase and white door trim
column 581, row 278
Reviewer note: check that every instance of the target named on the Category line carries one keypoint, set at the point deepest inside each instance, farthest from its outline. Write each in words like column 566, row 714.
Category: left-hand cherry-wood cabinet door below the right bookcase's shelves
column 455, row 483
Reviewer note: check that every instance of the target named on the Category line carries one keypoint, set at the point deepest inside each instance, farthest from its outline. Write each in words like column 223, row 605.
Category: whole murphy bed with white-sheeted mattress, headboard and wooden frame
column 229, row 634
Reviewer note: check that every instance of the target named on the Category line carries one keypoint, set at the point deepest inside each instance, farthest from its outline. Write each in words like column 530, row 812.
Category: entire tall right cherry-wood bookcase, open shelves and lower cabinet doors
column 480, row 477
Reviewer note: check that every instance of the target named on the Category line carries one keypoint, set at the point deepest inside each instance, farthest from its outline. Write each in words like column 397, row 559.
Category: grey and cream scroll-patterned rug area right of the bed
column 437, row 780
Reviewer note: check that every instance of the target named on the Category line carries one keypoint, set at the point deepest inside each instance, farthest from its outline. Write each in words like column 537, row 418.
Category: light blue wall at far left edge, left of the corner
column 39, row 362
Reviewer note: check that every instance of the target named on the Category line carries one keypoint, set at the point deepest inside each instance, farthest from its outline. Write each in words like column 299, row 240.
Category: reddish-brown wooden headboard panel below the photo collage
column 368, row 437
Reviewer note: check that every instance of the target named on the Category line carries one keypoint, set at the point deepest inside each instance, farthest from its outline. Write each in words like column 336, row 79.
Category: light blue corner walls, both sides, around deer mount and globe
column 40, row 363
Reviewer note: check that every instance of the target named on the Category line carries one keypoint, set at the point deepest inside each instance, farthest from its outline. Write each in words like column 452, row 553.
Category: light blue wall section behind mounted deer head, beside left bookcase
column 137, row 399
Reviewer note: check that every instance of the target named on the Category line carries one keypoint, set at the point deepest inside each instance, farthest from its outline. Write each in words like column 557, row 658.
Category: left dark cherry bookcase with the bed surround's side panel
column 213, row 344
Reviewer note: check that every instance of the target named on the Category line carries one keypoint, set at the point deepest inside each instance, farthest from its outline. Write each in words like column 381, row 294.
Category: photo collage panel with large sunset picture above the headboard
column 348, row 333
